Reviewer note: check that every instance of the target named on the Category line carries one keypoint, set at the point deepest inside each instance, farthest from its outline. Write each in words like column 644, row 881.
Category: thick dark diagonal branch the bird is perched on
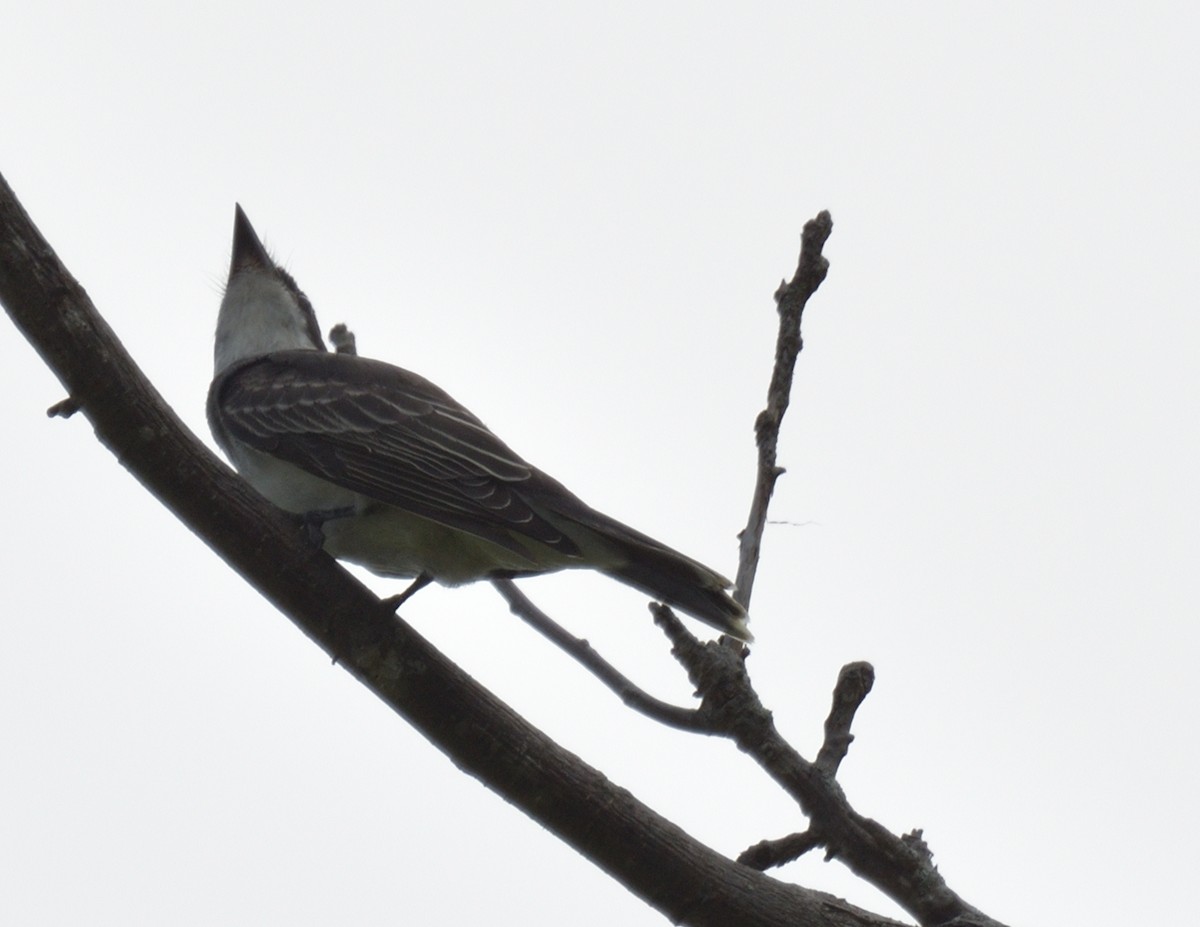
column 653, row 858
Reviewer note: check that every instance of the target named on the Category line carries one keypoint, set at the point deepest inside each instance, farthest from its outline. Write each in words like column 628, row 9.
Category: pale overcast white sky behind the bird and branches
column 574, row 218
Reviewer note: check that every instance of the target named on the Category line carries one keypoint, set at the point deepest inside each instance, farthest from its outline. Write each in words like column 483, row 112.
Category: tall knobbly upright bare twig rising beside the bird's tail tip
column 790, row 300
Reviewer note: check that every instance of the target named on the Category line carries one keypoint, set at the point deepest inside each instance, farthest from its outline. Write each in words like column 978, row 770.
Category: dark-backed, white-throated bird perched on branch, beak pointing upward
column 400, row 477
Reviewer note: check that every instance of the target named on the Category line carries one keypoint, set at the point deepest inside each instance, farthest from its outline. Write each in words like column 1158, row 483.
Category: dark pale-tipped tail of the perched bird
column 677, row 581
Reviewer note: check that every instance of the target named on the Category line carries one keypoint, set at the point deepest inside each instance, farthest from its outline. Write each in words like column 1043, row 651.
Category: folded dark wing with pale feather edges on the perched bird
column 387, row 434
